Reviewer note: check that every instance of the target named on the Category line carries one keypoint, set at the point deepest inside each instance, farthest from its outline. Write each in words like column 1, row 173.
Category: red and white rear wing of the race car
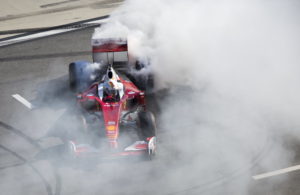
column 110, row 51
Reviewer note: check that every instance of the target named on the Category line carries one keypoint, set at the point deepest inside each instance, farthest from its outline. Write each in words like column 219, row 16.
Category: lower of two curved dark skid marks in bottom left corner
column 44, row 181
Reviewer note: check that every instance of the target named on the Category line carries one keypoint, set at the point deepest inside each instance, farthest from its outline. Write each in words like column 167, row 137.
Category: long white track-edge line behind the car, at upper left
column 48, row 33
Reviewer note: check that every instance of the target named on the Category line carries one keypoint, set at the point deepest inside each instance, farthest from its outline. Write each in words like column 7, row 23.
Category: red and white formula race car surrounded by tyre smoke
column 112, row 109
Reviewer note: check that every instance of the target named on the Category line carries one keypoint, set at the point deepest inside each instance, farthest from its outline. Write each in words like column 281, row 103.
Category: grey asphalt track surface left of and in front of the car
column 31, row 156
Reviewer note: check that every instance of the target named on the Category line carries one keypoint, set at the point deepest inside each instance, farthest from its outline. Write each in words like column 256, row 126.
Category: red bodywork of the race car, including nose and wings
column 112, row 111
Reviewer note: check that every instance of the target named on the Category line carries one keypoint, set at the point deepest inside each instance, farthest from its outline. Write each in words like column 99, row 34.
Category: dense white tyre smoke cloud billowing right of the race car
column 232, row 68
